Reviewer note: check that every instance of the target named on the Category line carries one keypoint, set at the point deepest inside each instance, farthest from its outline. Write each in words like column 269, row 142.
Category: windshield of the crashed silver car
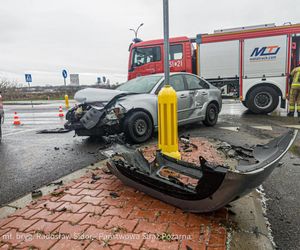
column 140, row 85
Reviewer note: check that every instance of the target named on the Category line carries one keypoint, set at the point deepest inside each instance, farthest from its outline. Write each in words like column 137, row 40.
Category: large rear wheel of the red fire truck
column 263, row 100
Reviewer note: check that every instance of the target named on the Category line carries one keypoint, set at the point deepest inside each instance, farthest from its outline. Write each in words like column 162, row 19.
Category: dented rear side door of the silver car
column 198, row 90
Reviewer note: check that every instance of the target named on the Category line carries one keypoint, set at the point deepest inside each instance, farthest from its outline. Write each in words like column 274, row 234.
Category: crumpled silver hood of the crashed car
column 90, row 95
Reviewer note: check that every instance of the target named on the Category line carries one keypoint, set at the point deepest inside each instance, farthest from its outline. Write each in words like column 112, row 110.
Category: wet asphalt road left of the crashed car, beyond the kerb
column 29, row 160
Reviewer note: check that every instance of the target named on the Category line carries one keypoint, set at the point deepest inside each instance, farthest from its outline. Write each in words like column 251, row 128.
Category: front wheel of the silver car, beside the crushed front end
column 138, row 127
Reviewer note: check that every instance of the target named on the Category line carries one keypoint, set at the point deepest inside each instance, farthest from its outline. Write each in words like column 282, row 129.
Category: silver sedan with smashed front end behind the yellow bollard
column 132, row 107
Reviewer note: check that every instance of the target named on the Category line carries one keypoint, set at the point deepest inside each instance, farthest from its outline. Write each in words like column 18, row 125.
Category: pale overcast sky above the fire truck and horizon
column 91, row 37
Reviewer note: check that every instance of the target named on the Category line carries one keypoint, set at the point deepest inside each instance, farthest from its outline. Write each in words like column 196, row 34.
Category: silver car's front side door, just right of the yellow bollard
column 183, row 99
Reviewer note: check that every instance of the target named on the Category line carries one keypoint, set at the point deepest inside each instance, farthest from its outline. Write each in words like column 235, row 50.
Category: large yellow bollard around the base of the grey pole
column 167, row 122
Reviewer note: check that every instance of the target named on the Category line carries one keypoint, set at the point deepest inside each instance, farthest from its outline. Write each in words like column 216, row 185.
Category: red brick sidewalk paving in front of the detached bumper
column 97, row 211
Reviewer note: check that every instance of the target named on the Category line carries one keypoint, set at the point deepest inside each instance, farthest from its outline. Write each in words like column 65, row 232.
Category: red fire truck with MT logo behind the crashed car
column 252, row 62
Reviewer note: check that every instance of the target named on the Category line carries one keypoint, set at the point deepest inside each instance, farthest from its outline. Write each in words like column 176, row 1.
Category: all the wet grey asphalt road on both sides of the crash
column 29, row 160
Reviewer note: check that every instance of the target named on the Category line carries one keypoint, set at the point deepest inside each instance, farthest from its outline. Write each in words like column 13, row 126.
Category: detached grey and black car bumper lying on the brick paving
column 217, row 185
